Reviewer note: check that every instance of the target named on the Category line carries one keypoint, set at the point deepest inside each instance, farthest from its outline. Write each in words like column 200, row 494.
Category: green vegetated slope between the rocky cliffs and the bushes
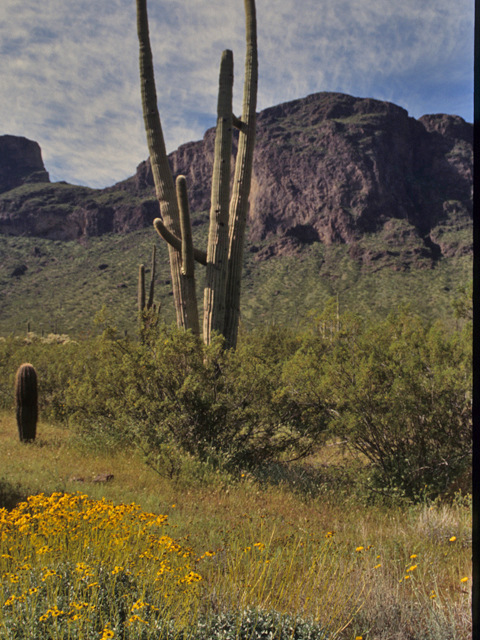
column 59, row 286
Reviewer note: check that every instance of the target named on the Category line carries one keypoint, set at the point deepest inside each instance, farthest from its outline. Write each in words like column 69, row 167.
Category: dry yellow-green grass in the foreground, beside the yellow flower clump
column 217, row 513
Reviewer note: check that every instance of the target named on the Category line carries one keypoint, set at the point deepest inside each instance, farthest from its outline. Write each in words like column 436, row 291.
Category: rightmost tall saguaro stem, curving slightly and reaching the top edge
column 242, row 181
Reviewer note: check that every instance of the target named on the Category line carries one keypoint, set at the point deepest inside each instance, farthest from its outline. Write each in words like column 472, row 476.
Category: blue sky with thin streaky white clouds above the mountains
column 69, row 68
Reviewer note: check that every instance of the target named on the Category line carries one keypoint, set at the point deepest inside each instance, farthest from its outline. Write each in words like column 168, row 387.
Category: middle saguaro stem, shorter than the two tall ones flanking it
column 217, row 250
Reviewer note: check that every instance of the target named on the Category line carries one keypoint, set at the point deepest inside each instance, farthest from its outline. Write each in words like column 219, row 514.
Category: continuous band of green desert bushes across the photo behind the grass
column 397, row 393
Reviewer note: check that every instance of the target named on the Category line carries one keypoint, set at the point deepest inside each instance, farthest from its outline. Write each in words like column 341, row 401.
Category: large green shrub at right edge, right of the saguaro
column 398, row 392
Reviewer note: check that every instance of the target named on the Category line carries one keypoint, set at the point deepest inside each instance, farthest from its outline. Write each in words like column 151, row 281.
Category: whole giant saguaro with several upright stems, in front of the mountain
column 224, row 256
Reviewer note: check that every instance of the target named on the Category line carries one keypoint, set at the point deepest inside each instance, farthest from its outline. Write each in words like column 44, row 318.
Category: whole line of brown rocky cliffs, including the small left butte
column 328, row 168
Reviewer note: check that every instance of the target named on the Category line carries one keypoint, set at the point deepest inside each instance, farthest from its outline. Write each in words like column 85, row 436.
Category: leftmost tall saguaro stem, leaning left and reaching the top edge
column 164, row 186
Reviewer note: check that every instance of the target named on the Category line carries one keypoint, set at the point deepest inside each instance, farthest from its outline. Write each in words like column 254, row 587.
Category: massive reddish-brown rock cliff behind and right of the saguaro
column 332, row 168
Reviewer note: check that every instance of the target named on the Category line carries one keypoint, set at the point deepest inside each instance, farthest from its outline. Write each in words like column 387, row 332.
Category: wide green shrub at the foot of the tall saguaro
column 174, row 394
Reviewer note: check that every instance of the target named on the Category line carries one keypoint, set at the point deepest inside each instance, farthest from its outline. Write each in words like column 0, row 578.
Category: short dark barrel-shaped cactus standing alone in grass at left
column 26, row 402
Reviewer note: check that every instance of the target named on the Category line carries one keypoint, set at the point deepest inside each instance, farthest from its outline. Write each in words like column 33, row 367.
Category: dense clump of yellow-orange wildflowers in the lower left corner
column 50, row 543
